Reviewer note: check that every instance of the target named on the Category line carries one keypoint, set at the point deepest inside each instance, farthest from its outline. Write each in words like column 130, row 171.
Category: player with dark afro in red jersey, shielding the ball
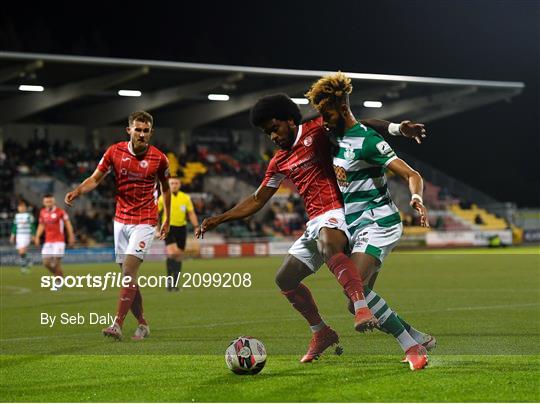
column 305, row 158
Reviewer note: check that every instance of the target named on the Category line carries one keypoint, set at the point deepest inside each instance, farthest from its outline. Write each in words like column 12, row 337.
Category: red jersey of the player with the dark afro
column 309, row 166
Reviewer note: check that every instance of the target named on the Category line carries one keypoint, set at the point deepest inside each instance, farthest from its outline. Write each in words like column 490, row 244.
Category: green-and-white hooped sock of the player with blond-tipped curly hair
column 388, row 321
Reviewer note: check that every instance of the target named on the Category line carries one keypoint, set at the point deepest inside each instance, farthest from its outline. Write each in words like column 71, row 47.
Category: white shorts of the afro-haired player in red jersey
column 305, row 248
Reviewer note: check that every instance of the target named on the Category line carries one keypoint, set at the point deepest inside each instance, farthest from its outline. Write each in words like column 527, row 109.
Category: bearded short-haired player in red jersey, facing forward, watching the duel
column 138, row 167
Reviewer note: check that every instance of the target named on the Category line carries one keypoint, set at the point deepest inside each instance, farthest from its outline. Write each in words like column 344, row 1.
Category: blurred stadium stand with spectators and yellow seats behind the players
column 209, row 175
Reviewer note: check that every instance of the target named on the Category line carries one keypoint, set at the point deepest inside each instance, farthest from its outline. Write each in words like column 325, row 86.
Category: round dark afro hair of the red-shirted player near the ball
column 278, row 106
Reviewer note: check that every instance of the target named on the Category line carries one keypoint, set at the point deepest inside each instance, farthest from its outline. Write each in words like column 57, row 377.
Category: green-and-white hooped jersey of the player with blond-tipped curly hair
column 360, row 164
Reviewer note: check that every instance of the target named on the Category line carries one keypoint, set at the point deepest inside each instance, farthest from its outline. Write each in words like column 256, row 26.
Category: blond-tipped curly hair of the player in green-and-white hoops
column 329, row 91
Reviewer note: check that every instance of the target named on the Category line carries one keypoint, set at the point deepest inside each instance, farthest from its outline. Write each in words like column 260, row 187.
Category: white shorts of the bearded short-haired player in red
column 132, row 239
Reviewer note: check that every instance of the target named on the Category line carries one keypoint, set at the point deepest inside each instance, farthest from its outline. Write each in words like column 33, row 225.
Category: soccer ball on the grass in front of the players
column 246, row 356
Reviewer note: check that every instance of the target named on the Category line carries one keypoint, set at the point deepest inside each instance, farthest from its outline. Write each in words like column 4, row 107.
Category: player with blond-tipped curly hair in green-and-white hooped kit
column 372, row 218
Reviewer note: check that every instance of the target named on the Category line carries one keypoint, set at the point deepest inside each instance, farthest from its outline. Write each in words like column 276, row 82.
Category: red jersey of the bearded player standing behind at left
column 136, row 179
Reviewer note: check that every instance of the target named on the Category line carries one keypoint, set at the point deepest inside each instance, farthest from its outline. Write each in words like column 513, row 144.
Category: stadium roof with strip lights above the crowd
column 84, row 91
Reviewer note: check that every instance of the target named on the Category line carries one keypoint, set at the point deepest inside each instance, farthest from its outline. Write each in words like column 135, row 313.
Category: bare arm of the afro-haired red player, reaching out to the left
column 249, row 206
